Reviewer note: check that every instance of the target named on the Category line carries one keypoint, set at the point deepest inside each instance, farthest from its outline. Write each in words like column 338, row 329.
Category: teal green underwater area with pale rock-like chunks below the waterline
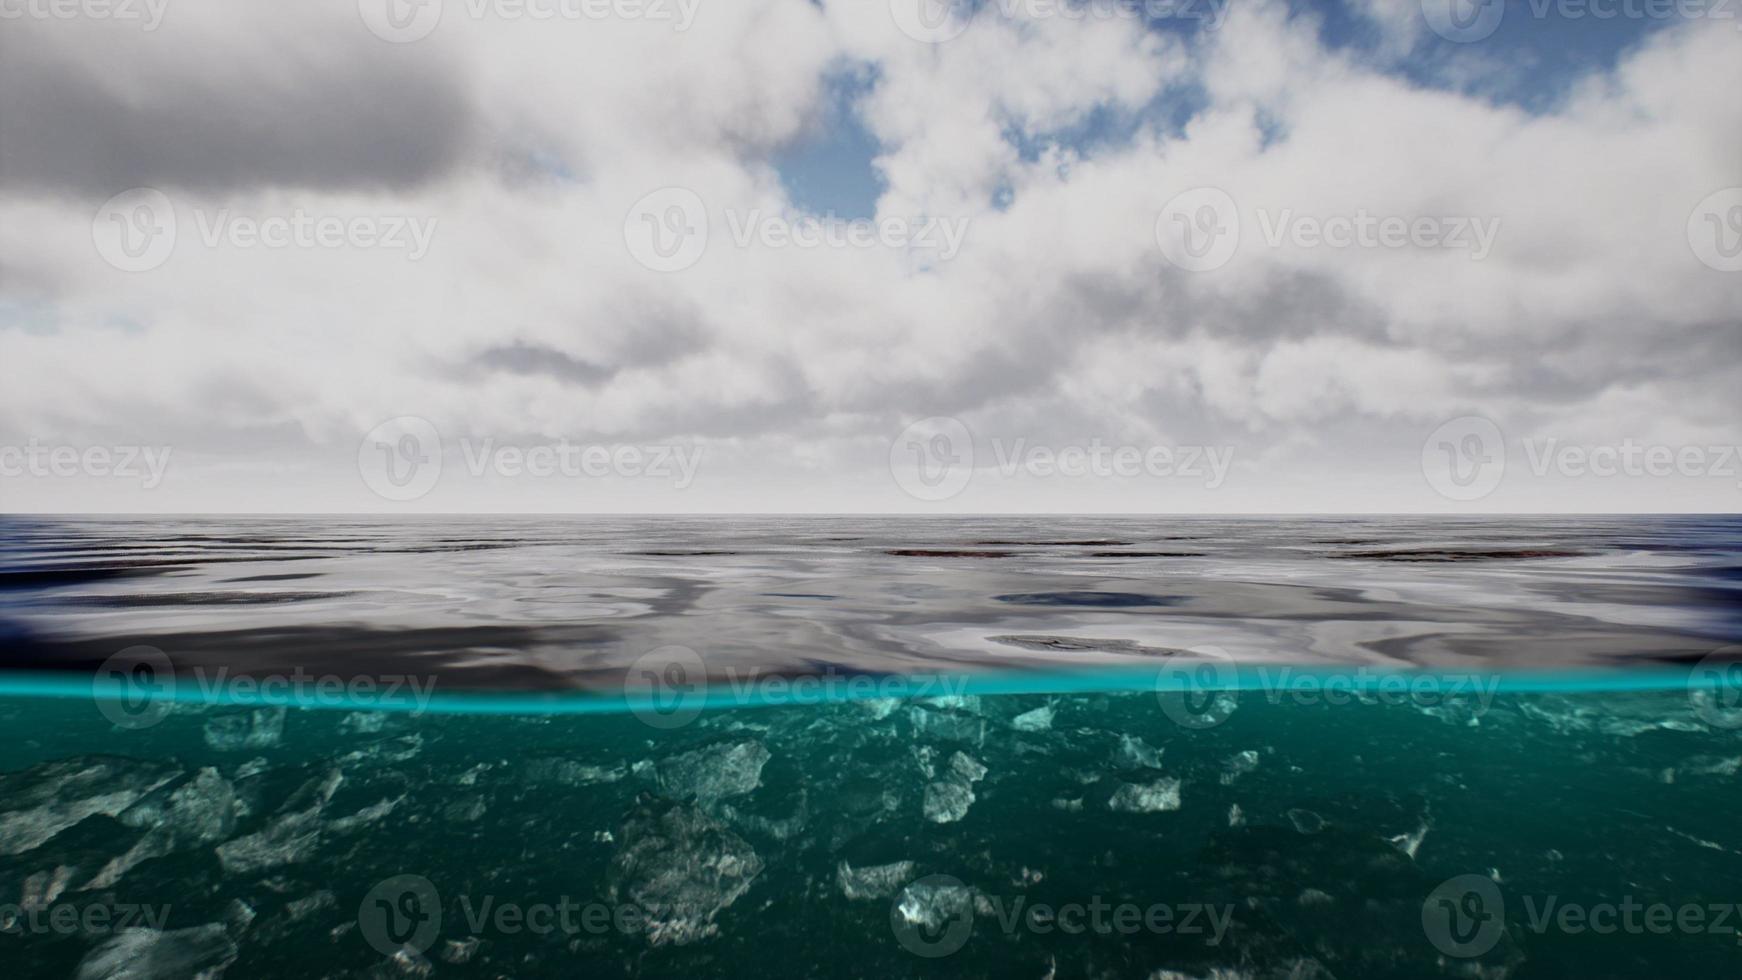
column 1016, row 828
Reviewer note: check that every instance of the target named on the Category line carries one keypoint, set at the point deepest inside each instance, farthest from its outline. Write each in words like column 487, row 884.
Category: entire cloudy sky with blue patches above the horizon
column 910, row 257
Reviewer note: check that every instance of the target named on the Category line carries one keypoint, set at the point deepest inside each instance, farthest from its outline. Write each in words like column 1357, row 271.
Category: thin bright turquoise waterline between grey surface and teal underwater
column 1325, row 683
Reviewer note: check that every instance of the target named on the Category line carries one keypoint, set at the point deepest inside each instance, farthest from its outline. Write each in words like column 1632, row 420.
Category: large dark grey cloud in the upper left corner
column 334, row 109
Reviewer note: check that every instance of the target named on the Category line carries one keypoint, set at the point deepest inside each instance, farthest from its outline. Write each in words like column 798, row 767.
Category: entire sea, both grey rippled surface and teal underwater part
column 1168, row 749
